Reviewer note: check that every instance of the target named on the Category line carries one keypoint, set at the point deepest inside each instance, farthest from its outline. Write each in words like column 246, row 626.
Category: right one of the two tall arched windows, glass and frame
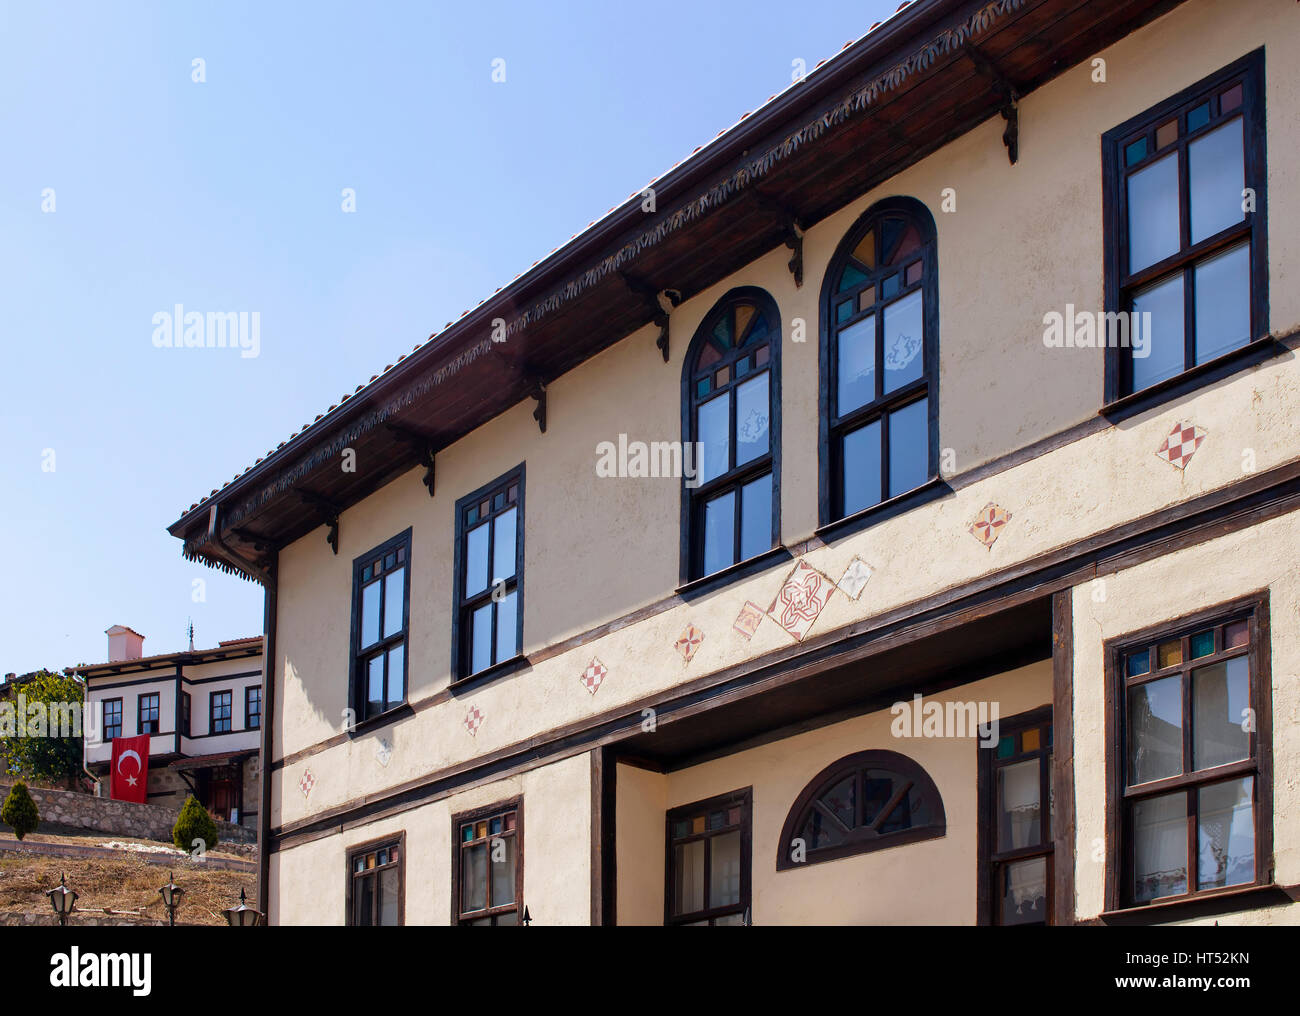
column 881, row 361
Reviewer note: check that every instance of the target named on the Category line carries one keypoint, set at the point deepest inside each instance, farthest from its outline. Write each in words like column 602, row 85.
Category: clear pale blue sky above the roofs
column 226, row 196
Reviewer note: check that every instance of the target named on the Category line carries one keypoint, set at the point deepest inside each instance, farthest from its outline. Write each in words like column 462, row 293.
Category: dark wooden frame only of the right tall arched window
column 834, row 428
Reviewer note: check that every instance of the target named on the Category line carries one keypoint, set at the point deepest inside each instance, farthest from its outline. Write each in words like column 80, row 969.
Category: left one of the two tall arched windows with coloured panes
column 731, row 393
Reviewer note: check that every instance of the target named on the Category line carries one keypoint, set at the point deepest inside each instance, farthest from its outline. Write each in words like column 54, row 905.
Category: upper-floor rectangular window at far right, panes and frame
column 1186, row 246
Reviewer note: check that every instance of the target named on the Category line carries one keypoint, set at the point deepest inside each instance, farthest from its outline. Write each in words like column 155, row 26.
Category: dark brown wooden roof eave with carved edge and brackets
column 902, row 93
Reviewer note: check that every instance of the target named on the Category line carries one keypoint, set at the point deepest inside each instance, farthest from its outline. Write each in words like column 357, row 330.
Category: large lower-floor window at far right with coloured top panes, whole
column 1190, row 714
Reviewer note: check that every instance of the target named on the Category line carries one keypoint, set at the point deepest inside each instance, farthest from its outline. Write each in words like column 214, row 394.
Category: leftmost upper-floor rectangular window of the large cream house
column 382, row 597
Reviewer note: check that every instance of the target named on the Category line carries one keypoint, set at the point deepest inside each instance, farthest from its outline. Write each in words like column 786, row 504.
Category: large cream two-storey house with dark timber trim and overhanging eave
column 973, row 592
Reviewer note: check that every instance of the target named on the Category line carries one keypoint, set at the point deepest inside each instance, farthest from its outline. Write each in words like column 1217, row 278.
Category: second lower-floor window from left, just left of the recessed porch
column 488, row 866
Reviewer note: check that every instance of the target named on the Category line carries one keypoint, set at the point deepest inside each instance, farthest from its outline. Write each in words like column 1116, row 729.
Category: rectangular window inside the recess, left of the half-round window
column 709, row 862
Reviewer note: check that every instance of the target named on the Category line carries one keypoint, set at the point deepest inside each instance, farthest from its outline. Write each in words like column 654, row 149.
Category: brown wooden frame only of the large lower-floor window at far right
column 1260, row 765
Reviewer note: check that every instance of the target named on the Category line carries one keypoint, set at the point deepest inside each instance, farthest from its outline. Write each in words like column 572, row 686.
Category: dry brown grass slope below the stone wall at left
column 122, row 884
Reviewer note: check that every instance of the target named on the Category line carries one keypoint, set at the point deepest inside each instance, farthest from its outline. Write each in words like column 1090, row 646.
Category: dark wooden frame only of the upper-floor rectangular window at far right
column 1120, row 401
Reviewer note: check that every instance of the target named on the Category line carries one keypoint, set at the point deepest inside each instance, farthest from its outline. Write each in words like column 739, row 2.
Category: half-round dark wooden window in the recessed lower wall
column 869, row 801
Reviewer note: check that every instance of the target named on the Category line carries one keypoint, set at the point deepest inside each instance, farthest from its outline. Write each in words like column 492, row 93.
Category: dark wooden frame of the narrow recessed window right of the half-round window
column 990, row 858
